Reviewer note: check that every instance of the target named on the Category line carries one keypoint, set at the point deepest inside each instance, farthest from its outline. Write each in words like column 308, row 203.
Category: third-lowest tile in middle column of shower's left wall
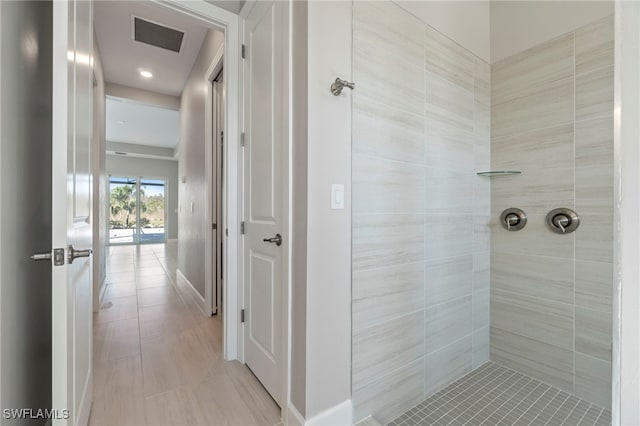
column 448, row 278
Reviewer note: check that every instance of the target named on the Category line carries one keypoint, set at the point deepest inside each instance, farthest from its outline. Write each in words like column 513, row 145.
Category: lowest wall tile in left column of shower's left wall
column 388, row 396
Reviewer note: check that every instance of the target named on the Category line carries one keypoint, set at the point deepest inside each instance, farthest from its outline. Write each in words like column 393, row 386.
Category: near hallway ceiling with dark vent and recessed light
column 123, row 57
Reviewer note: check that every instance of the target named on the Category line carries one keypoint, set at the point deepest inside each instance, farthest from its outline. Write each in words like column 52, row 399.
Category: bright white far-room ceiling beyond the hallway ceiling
column 141, row 124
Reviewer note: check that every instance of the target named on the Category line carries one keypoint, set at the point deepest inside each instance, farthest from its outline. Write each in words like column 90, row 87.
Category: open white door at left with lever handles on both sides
column 71, row 215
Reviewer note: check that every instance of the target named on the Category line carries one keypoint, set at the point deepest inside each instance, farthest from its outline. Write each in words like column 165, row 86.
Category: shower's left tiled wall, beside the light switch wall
column 421, row 125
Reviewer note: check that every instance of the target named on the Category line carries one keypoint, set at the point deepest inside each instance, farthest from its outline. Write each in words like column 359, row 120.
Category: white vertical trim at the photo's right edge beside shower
column 626, row 293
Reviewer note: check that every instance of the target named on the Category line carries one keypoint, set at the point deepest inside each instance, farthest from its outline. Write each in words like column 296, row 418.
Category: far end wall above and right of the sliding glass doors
column 118, row 165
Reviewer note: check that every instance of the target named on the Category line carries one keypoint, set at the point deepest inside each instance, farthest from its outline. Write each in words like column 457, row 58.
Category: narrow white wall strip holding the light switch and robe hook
column 328, row 350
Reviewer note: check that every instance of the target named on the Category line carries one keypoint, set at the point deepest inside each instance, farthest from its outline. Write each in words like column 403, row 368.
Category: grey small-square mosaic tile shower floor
column 493, row 395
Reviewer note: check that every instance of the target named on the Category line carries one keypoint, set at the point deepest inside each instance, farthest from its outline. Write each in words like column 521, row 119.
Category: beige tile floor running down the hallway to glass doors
column 158, row 359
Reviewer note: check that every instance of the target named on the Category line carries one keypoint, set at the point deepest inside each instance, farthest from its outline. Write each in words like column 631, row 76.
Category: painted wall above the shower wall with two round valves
column 519, row 25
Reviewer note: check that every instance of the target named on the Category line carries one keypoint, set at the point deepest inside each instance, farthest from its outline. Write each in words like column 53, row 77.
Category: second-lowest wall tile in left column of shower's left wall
column 380, row 349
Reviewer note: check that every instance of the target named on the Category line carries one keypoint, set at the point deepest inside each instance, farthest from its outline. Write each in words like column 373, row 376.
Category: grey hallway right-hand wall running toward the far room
column 192, row 222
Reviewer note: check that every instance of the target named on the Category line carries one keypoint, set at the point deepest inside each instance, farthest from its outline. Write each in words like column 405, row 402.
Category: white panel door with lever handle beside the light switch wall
column 266, row 134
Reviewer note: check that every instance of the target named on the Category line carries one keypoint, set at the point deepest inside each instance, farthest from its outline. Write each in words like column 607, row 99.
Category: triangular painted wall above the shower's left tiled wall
column 465, row 22
